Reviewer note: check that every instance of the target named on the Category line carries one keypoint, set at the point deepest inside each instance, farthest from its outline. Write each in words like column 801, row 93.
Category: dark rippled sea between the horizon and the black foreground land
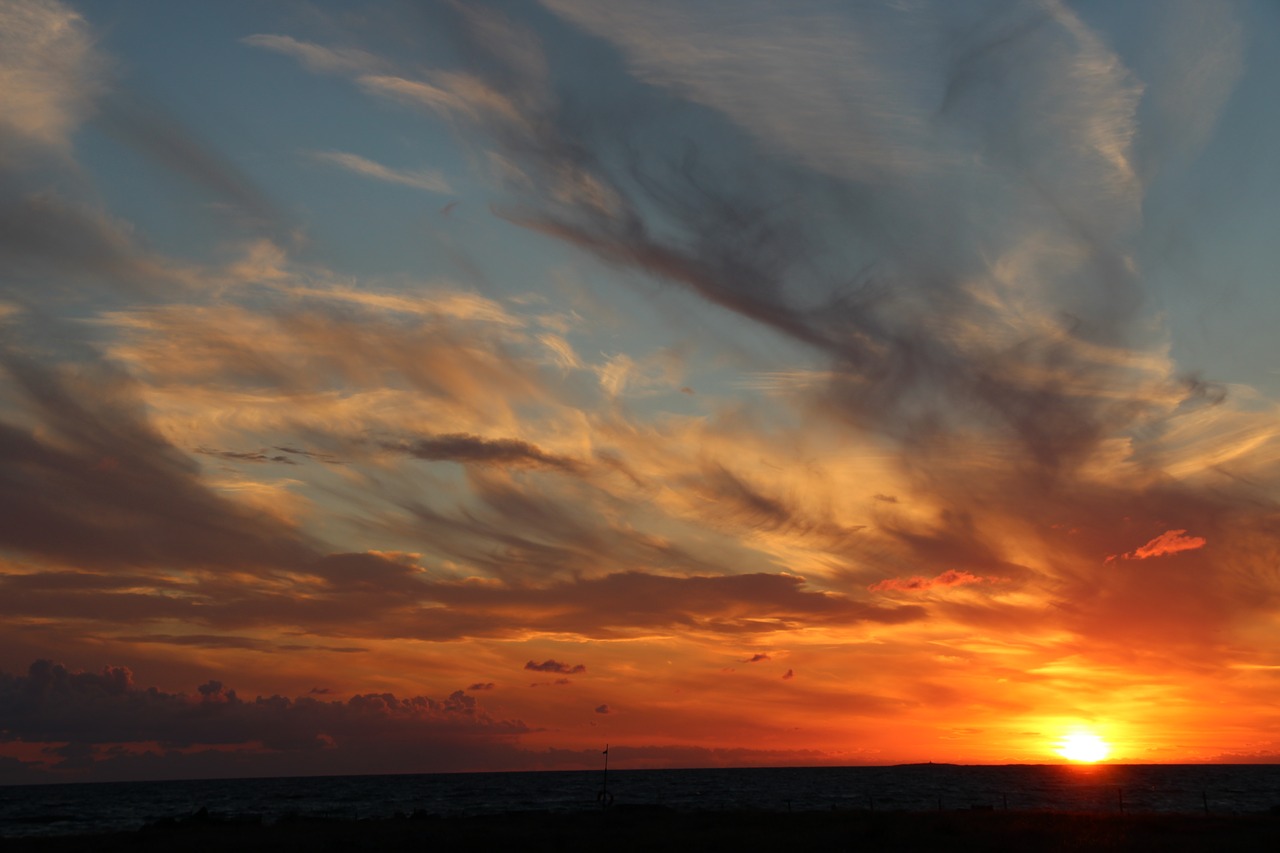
column 77, row 809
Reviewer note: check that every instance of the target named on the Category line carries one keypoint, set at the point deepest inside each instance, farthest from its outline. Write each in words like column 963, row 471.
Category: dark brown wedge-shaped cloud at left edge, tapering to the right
column 112, row 492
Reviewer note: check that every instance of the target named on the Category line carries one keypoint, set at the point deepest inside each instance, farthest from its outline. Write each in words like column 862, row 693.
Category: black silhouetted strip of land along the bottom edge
column 657, row 829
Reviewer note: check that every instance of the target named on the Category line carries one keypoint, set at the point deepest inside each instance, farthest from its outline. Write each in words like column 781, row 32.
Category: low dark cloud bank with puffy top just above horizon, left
column 89, row 727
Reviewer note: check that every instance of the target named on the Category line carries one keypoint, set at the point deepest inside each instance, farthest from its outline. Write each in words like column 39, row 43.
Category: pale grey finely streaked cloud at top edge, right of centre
column 758, row 67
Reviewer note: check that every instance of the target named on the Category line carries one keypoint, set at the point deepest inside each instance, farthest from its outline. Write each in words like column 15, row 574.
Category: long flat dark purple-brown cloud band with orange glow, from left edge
column 369, row 596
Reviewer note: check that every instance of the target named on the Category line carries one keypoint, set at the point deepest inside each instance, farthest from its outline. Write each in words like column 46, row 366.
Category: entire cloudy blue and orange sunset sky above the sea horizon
column 452, row 387
